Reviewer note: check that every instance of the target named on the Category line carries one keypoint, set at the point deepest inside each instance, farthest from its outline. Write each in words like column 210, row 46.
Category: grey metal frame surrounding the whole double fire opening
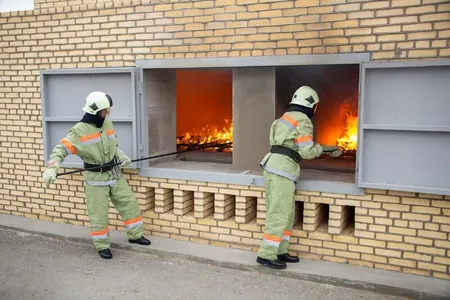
column 235, row 177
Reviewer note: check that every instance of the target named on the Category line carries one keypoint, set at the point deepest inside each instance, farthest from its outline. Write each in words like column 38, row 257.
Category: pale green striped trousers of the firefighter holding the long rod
column 123, row 199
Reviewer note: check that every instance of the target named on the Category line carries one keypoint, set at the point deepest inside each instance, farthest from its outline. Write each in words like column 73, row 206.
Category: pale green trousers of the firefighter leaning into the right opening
column 279, row 215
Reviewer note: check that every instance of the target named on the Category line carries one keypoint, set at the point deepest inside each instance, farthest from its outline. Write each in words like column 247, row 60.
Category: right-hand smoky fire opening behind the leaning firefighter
column 336, row 119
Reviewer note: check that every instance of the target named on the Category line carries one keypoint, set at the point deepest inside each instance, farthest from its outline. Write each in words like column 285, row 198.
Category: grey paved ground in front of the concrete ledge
column 37, row 267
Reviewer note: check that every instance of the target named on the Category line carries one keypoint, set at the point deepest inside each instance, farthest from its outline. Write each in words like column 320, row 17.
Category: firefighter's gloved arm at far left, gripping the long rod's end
column 69, row 145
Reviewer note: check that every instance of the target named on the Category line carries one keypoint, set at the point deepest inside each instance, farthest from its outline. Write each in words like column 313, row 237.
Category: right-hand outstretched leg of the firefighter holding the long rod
column 126, row 204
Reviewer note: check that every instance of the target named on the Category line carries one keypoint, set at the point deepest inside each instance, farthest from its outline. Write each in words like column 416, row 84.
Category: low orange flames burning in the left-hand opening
column 208, row 135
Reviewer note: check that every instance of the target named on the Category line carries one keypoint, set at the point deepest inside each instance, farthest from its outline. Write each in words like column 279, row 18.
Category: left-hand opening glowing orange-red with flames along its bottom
column 204, row 114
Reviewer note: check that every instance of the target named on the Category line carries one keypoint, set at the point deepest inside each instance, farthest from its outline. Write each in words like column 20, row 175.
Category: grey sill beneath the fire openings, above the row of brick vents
column 250, row 180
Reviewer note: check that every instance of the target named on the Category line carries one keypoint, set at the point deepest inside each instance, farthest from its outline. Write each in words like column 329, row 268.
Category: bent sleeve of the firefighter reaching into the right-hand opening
column 305, row 142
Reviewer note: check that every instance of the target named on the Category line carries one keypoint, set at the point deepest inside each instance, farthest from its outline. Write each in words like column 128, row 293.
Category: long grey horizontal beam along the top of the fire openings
column 255, row 61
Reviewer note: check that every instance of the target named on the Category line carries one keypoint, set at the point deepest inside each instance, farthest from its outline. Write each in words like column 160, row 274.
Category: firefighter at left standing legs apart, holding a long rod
column 94, row 140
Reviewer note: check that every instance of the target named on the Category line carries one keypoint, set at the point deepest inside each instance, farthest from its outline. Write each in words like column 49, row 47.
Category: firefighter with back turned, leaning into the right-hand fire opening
column 291, row 139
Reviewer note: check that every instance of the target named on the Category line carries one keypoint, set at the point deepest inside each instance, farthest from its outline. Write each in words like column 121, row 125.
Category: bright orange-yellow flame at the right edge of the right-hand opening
column 348, row 140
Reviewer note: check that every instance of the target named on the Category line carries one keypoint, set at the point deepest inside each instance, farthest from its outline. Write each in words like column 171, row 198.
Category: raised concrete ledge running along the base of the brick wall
column 381, row 281
